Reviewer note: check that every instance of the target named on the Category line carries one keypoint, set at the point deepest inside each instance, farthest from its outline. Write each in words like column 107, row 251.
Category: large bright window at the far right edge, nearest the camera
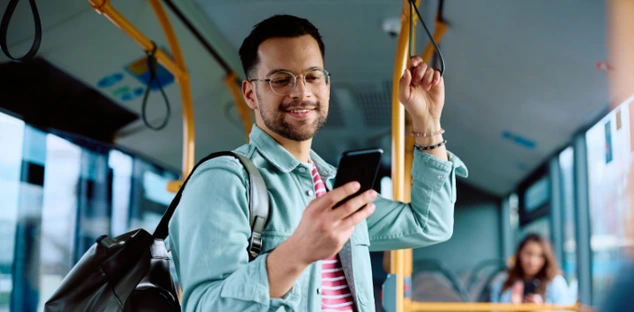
column 609, row 159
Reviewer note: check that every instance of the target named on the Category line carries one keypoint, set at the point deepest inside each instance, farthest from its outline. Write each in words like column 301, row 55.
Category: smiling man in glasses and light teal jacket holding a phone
column 314, row 257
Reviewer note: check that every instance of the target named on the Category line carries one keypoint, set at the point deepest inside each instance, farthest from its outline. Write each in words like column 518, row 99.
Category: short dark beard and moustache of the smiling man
column 275, row 120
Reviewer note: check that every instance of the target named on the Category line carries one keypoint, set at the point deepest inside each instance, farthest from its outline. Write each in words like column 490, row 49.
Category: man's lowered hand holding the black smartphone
column 323, row 231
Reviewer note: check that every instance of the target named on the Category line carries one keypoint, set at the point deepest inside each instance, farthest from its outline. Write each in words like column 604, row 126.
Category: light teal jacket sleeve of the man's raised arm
column 428, row 219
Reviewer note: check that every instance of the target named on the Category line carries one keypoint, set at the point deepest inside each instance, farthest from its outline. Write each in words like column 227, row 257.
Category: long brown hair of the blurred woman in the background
column 545, row 275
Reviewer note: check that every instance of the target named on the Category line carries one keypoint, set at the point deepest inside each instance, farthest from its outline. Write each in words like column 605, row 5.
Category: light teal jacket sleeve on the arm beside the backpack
column 209, row 235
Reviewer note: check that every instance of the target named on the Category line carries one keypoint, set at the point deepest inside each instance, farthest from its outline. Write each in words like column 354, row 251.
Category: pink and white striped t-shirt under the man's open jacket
column 335, row 294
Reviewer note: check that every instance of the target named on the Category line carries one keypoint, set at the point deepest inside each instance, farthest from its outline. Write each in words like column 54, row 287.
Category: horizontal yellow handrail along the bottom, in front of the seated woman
column 485, row 307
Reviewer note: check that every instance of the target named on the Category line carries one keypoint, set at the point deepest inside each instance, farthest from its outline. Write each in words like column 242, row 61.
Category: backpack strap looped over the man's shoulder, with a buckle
column 258, row 203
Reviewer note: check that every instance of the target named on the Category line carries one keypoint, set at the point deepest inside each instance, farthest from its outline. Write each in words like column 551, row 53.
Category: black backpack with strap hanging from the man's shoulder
column 131, row 272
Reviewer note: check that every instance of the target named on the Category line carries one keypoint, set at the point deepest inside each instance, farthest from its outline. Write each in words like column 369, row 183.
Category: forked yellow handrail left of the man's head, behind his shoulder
column 176, row 68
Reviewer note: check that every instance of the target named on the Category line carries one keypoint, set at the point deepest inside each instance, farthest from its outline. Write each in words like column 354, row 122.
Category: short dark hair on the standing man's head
column 286, row 26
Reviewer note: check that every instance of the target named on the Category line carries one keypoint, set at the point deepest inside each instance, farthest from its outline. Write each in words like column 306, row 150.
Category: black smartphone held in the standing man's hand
column 358, row 165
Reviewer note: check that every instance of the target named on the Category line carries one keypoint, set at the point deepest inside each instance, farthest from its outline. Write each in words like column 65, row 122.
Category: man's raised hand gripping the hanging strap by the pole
column 422, row 92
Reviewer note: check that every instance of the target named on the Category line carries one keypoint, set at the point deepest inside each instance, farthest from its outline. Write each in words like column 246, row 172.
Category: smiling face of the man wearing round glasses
column 300, row 114
